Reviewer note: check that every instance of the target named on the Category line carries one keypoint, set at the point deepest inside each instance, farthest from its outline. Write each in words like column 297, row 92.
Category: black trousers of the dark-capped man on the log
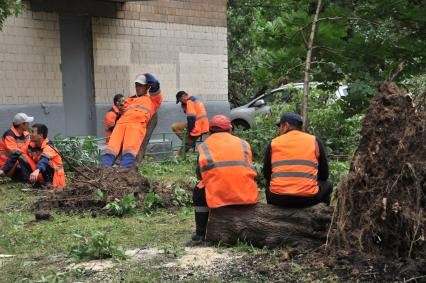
column 323, row 195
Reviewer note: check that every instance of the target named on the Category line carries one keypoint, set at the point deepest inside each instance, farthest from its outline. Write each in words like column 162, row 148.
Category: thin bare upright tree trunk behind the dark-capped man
column 308, row 66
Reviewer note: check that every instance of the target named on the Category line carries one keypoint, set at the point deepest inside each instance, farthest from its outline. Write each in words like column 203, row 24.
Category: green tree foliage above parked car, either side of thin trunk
column 358, row 42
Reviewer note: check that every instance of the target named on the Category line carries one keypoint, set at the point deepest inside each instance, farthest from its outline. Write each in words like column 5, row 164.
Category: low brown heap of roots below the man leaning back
column 93, row 188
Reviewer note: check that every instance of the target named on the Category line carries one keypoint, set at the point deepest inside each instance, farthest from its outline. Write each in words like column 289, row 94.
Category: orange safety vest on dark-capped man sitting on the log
column 294, row 164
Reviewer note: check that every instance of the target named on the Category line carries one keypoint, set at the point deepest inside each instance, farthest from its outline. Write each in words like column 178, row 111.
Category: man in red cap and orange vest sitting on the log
column 226, row 172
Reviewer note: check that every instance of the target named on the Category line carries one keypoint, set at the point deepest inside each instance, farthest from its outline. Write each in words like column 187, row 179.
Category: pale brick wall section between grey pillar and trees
column 182, row 56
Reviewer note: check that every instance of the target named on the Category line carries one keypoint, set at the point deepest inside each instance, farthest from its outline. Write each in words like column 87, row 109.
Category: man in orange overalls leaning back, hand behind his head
column 130, row 129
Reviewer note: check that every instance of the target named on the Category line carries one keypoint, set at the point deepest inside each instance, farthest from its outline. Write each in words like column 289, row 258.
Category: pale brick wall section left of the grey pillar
column 30, row 59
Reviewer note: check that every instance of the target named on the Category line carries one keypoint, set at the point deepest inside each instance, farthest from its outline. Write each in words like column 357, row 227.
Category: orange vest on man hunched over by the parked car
column 195, row 107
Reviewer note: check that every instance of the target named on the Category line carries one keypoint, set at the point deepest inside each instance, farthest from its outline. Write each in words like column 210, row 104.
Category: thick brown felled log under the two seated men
column 264, row 225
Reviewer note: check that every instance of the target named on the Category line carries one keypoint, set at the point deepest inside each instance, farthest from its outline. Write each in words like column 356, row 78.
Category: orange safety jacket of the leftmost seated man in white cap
column 12, row 142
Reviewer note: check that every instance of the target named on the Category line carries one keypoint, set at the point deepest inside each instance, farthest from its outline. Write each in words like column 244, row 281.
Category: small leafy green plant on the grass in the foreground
column 97, row 246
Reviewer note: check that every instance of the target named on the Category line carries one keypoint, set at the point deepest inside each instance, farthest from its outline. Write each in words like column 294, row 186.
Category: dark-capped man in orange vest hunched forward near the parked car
column 197, row 122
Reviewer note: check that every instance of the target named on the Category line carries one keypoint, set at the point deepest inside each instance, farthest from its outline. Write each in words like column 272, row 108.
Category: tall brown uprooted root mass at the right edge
column 381, row 205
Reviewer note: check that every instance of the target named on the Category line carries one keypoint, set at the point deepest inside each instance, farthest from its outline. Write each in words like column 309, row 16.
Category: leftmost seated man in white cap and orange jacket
column 14, row 161
